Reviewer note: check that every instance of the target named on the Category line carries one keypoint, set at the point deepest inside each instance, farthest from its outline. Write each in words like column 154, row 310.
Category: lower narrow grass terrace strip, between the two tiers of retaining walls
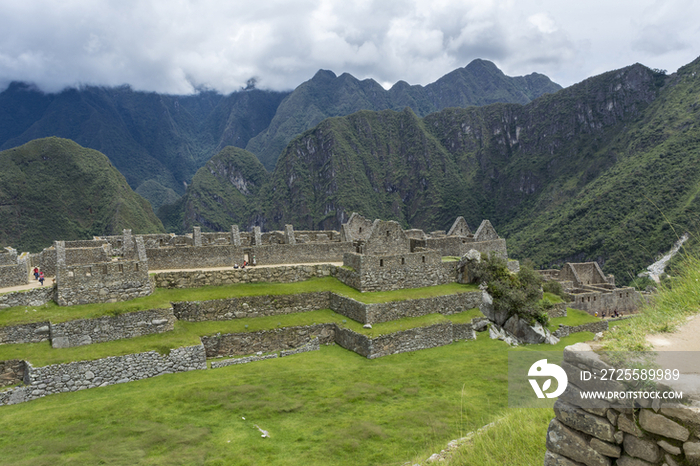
column 188, row 333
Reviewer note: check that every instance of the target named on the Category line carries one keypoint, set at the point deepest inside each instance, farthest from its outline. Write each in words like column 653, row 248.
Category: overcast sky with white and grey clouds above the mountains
column 176, row 46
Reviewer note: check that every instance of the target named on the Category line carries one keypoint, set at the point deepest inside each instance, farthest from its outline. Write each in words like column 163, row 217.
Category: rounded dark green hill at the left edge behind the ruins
column 53, row 188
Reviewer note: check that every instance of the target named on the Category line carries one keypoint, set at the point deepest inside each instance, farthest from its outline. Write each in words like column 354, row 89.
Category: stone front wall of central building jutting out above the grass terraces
column 396, row 272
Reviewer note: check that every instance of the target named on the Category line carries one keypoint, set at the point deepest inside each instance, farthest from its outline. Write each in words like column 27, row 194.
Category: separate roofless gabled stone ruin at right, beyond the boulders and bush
column 592, row 291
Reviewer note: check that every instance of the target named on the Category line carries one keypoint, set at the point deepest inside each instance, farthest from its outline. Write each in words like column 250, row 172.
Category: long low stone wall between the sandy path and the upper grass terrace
column 283, row 274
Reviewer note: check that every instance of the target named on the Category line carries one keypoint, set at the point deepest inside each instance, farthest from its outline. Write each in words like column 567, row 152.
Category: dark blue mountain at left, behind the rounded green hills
column 157, row 141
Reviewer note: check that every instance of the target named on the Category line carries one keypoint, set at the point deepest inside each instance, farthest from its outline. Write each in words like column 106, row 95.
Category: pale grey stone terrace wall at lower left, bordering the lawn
column 59, row 378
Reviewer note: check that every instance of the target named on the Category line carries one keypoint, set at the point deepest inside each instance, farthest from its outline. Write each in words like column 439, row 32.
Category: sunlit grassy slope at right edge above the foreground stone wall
column 674, row 303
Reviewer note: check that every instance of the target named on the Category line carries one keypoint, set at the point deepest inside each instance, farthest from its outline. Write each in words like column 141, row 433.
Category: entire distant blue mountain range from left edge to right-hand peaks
column 159, row 141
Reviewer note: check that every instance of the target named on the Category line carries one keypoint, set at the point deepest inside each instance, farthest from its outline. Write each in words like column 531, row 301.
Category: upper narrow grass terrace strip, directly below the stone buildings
column 161, row 298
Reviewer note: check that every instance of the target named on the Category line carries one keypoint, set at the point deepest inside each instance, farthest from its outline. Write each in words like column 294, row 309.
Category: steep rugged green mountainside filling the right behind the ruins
column 603, row 170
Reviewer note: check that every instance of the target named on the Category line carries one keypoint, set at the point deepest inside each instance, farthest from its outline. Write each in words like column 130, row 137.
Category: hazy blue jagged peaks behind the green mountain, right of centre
column 327, row 95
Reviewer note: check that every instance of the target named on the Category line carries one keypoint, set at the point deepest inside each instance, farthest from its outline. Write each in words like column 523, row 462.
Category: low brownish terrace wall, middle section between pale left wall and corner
column 266, row 341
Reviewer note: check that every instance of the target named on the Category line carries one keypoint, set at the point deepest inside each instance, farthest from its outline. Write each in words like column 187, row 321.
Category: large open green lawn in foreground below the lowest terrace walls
column 321, row 408
